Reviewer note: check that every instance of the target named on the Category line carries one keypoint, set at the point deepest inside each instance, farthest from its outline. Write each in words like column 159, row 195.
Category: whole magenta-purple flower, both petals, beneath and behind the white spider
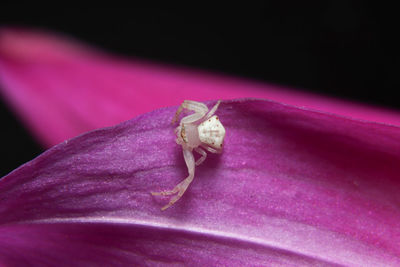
column 293, row 186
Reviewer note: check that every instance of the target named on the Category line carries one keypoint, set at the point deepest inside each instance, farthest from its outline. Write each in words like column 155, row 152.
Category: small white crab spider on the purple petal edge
column 195, row 132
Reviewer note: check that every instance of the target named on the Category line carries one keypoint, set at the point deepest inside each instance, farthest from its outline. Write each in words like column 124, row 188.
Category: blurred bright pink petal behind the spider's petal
column 61, row 88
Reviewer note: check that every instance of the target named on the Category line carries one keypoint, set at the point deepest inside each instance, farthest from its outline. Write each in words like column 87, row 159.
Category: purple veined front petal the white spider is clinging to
column 292, row 187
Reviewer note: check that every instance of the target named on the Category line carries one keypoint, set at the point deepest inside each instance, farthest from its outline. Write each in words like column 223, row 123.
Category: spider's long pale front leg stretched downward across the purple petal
column 180, row 188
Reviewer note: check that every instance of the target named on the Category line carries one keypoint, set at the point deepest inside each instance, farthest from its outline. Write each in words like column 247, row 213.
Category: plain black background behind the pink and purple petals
column 345, row 49
